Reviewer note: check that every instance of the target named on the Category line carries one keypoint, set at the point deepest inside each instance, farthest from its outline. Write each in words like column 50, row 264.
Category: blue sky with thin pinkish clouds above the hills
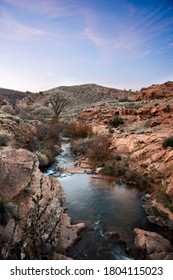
column 125, row 44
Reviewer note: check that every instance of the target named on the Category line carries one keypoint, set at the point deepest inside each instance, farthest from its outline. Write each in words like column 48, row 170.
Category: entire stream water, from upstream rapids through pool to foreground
column 107, row 209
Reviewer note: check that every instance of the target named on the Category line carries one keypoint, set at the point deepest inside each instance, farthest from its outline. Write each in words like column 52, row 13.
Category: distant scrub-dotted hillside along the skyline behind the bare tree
column 79, row 97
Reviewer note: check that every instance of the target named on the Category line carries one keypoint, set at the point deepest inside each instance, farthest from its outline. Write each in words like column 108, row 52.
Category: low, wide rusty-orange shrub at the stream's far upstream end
column 78, row 130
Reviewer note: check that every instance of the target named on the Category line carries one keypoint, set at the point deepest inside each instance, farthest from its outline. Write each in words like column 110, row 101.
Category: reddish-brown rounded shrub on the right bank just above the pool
column 99, row 148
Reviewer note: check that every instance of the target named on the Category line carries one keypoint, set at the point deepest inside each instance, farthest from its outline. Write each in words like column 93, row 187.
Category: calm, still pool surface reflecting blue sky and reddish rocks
column 117, row 206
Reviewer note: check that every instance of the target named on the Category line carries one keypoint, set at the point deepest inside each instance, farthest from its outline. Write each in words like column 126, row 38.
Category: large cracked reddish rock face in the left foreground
column 31, row 207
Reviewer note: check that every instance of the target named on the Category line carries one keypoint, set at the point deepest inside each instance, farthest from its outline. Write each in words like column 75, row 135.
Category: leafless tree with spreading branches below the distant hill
column 57, row 102
